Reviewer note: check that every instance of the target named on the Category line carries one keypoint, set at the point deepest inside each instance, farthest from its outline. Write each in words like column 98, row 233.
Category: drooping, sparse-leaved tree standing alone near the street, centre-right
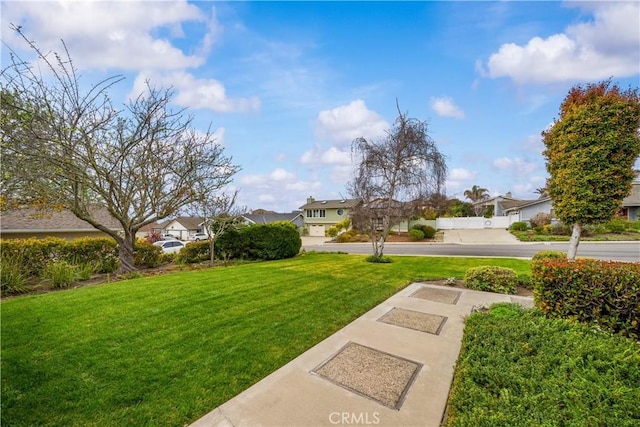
column 391, row 174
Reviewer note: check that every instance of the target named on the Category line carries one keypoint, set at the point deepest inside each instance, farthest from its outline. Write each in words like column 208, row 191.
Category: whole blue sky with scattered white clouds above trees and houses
column 289, row 85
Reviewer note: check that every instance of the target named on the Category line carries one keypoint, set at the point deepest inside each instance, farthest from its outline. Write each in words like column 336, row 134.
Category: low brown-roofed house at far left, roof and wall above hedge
column 26, row 222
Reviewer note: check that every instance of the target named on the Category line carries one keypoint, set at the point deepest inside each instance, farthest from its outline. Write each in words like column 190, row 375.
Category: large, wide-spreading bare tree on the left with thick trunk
column 73, row 149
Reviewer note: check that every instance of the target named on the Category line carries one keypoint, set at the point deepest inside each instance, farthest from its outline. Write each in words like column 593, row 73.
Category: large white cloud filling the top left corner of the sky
column 128, row 35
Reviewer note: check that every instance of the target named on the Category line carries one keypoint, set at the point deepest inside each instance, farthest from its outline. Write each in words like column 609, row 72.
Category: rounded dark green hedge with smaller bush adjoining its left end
column 254, row 242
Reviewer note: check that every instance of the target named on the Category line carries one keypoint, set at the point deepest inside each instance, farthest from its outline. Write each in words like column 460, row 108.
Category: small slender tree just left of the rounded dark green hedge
column 219, row 213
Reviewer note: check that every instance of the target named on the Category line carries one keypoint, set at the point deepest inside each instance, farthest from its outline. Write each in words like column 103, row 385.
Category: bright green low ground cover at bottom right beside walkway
column 517, row 368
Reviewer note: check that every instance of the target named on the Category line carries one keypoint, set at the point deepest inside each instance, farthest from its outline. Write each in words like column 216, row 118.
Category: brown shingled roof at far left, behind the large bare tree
column 30, row 219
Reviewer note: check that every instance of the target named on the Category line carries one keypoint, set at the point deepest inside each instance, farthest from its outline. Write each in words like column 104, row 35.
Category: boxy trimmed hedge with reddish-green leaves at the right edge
column 592, row 291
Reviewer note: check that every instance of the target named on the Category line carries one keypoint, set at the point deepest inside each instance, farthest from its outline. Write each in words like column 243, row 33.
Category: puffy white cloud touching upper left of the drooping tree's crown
column 345, row 123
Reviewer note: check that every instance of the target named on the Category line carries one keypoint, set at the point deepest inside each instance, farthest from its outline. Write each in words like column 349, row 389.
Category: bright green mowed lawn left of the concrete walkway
column 166, row 350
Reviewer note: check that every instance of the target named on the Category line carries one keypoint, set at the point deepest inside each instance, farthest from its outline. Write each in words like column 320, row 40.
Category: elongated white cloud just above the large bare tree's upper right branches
column 195, row 93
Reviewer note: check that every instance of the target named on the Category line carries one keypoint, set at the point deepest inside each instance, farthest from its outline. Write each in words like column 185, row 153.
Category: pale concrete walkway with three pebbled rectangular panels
column 393, row 366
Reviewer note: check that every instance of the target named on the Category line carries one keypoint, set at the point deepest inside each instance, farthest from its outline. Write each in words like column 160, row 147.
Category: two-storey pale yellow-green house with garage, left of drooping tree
column 319, row 215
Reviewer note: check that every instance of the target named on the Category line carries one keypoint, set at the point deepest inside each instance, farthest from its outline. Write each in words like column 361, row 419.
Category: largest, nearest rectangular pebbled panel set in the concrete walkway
column 377, row 375
